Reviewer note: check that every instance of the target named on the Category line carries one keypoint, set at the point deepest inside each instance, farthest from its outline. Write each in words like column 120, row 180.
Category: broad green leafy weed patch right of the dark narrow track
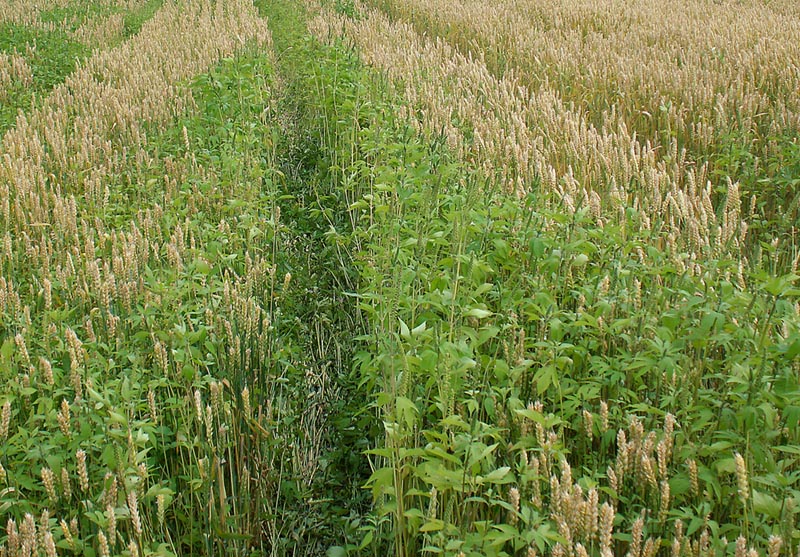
column 510, row 347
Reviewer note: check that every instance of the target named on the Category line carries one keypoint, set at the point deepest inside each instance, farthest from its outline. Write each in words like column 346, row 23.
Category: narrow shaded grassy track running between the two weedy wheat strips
column 324, row 92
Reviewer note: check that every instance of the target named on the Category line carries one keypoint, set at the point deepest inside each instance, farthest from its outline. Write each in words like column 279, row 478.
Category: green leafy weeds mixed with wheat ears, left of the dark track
column 207, row 394
